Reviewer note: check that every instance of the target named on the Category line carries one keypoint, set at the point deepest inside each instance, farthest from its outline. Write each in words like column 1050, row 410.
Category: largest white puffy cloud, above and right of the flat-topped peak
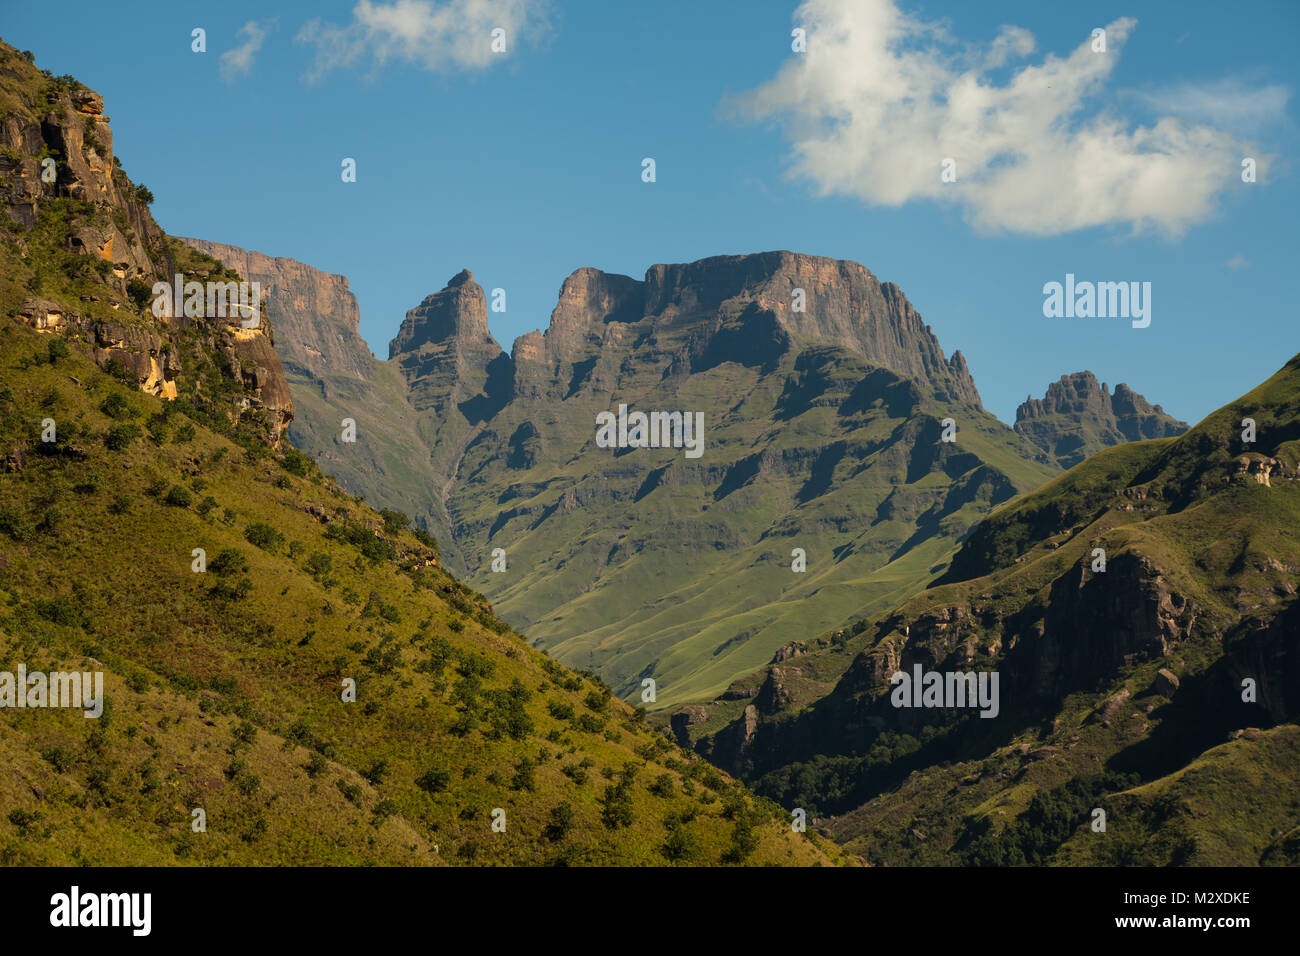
column 881, row 100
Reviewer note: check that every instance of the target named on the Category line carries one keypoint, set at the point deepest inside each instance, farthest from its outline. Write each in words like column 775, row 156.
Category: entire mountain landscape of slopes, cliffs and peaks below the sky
column 432, row 672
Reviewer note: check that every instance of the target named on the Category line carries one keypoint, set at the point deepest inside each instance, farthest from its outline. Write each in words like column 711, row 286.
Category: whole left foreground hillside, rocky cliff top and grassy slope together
column 226, row 682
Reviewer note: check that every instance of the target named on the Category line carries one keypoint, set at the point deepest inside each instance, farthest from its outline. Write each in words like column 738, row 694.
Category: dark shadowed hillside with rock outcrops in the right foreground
column 1141, row 613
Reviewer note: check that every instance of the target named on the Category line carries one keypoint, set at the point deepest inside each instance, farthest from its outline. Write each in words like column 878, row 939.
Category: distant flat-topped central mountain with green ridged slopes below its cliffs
column 822, row 397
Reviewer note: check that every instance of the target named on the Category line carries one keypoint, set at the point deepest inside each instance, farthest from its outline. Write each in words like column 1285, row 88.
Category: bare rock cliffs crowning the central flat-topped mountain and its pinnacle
column 735, row 308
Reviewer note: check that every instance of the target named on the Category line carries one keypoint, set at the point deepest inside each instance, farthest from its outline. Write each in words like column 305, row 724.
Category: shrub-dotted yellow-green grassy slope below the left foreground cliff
column 226, row 687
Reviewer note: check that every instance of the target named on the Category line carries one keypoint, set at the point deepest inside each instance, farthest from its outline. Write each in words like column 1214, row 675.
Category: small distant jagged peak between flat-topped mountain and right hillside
column 1078, row 418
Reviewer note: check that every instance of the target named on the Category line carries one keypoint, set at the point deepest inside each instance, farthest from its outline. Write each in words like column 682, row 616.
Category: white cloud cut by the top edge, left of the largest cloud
column 440, row 37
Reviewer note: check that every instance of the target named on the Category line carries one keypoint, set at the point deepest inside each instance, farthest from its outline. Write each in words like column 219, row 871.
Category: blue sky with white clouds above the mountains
column 528, row 166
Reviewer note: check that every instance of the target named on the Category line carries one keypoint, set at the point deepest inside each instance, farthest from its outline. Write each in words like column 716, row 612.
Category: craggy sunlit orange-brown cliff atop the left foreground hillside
column 88, row 254
